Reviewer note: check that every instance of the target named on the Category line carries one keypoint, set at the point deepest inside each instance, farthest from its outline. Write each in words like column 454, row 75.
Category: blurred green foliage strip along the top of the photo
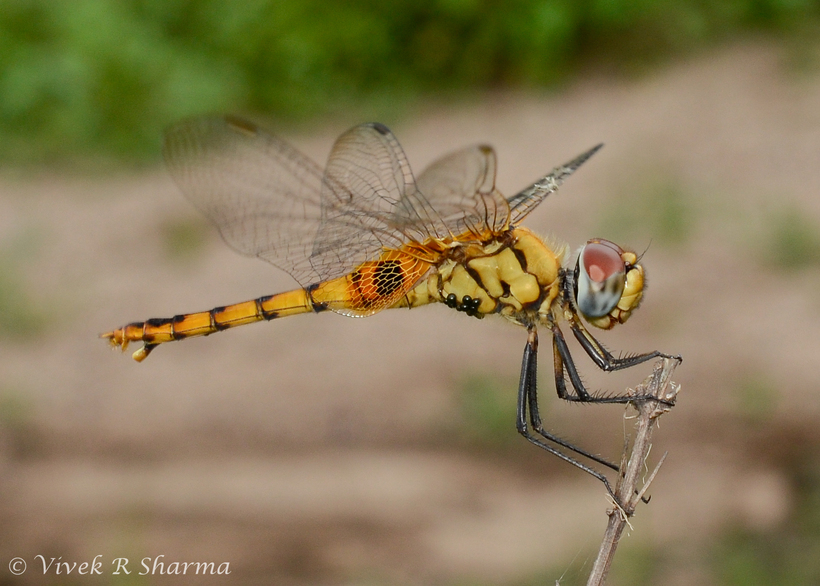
column 103, row 77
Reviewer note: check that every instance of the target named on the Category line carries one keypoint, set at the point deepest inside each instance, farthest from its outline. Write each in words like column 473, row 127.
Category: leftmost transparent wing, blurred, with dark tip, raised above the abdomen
column 262, row 194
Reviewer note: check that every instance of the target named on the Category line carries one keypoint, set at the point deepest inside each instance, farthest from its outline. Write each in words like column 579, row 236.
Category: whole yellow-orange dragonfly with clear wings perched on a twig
column 364, row 235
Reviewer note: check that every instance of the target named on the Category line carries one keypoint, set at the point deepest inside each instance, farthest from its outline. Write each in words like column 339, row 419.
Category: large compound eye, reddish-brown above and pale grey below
column 601, row 276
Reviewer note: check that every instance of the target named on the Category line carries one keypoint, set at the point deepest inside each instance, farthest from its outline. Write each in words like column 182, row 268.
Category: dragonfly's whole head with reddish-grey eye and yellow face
column 608, row 283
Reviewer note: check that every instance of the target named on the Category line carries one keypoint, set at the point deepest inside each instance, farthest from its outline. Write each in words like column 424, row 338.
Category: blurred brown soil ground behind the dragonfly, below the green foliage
column 326, row 450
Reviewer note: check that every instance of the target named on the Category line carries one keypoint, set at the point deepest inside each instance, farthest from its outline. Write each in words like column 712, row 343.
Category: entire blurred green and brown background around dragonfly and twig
column 322, row 450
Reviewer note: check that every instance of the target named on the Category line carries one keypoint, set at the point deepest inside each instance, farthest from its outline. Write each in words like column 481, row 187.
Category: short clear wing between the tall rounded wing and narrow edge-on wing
column 460, row 187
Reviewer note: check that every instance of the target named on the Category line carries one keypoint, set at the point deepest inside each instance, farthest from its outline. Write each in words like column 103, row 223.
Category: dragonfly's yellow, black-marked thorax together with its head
column 520, row 277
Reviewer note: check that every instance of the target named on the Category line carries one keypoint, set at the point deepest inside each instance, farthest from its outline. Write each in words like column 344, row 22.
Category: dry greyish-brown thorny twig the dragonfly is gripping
column 658, row 384
